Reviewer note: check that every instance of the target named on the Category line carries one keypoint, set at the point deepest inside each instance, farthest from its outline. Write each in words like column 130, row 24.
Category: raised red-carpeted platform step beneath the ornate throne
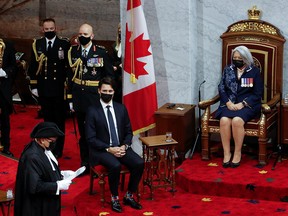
column 247, row 181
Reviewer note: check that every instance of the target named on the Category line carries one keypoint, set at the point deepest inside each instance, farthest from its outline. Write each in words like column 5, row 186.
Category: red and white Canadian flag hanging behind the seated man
column 139, row 86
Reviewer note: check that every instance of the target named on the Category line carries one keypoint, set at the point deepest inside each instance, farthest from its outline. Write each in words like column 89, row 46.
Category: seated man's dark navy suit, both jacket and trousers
column 98, row 138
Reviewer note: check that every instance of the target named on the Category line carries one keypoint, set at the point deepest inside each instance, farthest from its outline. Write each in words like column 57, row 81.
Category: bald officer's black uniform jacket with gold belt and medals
column 86, row 73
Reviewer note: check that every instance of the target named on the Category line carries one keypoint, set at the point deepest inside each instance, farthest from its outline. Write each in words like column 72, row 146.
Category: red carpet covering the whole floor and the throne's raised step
column 203, row 188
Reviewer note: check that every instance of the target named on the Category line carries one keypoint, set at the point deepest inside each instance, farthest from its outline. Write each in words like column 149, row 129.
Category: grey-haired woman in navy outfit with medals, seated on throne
column 240, row 90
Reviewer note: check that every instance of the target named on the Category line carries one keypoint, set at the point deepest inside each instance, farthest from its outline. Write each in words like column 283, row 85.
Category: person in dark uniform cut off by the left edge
column 8, row 70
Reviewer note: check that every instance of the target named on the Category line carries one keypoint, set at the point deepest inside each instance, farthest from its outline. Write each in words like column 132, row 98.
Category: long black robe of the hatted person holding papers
column 35, row 192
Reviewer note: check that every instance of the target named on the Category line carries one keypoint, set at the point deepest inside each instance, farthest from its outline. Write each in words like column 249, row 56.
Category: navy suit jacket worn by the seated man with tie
column 97, row 132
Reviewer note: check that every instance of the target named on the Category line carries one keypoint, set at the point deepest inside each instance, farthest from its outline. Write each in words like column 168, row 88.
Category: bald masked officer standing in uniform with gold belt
column 89, row 63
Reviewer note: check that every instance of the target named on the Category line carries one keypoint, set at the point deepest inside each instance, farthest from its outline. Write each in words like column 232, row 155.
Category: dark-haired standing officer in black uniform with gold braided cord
column 48, row 71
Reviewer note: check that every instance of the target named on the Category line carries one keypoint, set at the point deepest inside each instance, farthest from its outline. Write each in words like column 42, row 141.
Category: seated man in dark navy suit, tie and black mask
column 110, row 145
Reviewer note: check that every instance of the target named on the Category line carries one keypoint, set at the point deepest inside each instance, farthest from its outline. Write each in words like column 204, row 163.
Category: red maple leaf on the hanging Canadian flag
column 135, row 49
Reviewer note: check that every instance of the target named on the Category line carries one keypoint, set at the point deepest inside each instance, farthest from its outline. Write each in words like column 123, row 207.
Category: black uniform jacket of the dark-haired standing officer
column 48, row 71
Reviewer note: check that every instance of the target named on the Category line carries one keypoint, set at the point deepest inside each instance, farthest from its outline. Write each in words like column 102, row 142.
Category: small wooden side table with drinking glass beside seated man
column 159, row 157
